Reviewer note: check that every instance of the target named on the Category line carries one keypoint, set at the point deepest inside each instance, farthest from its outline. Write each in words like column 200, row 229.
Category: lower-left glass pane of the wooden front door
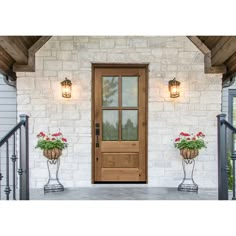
column 110, row 125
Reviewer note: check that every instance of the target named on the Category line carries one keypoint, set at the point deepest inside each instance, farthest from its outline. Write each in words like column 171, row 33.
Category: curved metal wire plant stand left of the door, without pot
column 53, row 184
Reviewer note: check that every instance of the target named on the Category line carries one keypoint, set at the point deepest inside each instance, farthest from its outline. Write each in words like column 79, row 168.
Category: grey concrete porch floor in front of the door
column 123, row 193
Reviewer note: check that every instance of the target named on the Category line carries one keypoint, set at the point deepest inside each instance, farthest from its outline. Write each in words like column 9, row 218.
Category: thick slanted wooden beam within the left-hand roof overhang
column 15, row 47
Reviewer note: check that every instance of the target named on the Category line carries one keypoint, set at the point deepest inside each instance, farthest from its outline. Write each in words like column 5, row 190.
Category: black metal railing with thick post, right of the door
column 223, row 128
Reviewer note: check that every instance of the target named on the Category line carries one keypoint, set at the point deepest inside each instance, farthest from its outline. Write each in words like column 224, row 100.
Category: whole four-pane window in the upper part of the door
column 127, row 128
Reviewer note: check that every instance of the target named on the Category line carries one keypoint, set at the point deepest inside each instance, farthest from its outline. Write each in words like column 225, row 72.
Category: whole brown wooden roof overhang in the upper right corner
column 220, row 54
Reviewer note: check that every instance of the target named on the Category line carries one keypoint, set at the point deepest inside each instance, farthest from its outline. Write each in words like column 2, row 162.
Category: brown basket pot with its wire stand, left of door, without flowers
column 53, row 164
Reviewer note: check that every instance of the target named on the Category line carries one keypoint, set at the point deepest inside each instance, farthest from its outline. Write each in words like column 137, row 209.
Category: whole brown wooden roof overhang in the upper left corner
column 17, row 53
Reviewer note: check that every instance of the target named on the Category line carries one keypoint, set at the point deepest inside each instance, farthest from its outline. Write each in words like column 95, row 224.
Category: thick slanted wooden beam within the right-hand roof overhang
column 223, row 50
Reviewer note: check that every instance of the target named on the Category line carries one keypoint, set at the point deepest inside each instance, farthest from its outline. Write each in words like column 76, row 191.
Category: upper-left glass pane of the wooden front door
column 109, row 91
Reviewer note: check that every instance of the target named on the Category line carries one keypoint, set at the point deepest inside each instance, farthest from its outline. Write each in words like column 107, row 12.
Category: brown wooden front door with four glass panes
column 119, row 124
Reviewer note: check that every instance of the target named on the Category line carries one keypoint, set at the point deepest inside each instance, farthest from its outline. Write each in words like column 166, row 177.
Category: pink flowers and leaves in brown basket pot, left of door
column 51, row 144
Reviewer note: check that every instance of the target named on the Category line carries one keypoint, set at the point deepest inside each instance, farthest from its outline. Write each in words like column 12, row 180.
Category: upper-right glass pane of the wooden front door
column 130, row 91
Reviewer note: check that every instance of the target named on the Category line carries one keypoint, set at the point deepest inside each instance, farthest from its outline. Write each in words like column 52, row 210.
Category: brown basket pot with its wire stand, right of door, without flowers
column 188, row 163
